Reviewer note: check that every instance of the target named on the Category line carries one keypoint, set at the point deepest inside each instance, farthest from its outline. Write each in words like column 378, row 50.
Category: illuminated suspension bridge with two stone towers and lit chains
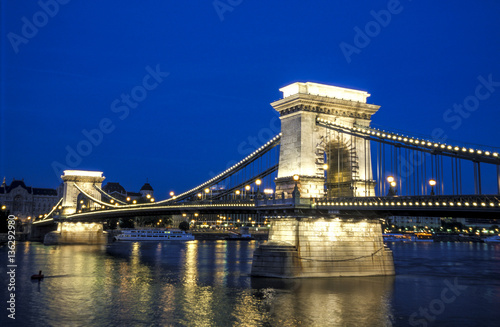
column 329, row 163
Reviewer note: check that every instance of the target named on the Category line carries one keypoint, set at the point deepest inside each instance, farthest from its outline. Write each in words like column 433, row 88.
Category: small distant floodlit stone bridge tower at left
column 85, row 181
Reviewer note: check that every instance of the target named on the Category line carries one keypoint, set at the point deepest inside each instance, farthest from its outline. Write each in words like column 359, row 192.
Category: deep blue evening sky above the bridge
column 222, row 76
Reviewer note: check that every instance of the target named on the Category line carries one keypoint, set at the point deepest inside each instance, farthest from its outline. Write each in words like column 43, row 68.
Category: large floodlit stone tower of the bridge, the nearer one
column 305, row 146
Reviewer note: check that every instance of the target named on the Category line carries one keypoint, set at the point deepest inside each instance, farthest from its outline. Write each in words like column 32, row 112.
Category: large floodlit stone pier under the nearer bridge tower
column 323, row 247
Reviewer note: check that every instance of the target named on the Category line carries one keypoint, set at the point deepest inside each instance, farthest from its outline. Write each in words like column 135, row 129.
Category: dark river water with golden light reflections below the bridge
column 207, row 283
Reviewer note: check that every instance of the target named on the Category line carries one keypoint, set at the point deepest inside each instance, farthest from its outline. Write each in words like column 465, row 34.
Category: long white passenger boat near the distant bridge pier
column 154, row 235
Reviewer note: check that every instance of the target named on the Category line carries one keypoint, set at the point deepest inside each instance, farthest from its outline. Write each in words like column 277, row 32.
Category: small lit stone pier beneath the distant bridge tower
column 77, row 233
